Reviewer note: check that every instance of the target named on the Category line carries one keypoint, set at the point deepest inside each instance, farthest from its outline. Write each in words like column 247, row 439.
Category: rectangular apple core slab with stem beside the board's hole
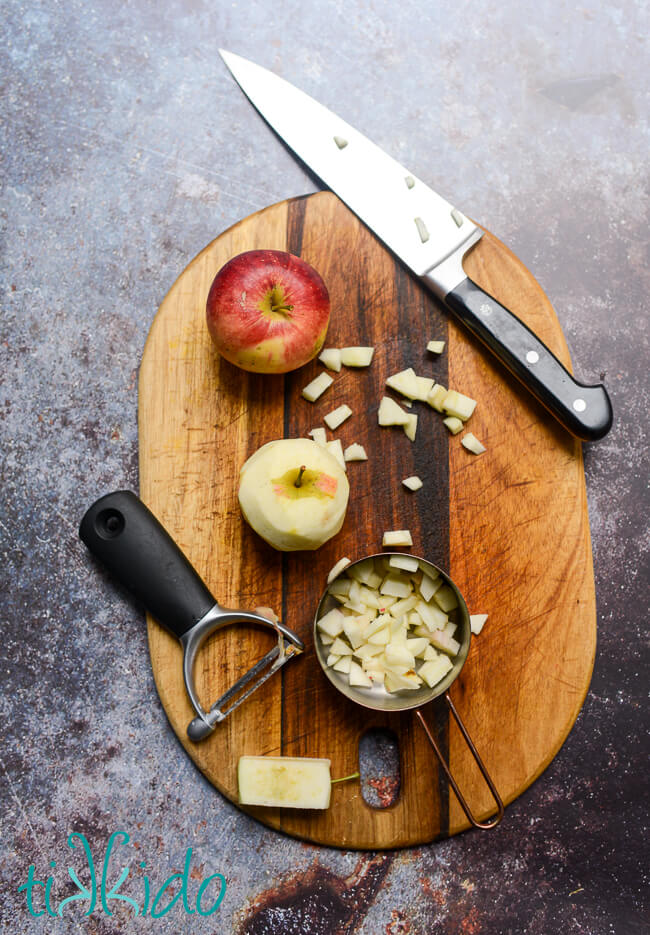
column 284, row 781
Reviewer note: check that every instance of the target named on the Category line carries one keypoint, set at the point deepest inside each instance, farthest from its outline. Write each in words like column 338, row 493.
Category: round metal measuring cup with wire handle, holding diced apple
column 378, row 698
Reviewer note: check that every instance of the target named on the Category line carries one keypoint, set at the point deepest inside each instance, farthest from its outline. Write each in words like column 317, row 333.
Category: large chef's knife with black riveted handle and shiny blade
column 426, row 232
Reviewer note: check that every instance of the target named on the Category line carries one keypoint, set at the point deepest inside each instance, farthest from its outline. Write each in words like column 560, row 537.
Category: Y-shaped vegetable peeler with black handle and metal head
column 125, row 535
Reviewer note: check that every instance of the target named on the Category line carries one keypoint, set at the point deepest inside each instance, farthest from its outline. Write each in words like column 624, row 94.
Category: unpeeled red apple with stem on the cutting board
column 268, row 311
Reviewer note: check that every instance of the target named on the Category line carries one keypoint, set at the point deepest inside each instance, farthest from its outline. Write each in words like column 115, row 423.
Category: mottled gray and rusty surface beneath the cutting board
column 125, row 149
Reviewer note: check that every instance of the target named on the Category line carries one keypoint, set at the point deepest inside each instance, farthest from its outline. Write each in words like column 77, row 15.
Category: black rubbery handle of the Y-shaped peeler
column 125, row 535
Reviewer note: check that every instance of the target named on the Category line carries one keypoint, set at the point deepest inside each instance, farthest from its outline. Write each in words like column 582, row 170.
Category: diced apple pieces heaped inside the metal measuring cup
column 395, row 634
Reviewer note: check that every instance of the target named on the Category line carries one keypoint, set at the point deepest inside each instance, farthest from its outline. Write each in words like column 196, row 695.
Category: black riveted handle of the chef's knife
column 586, row 411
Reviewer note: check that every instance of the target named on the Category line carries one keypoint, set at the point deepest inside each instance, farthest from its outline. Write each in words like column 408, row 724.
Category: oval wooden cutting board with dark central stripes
column 510, row 526
